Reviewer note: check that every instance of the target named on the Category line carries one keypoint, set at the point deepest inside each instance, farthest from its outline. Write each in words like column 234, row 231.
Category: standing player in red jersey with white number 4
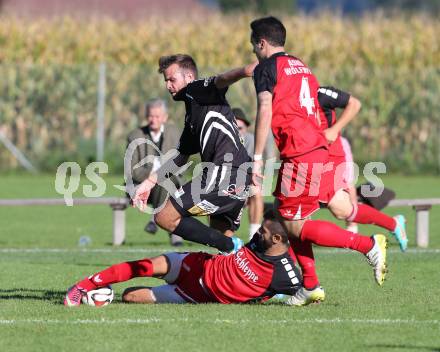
column 287, row 103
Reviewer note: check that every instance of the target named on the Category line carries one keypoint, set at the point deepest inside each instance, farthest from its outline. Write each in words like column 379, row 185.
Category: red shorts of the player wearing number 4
column 298, row 184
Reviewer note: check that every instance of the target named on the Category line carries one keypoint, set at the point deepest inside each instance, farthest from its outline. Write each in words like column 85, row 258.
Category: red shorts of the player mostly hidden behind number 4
column 334, row 178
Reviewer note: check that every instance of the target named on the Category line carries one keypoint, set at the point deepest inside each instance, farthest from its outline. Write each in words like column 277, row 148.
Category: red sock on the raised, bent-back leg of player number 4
column 326, row 234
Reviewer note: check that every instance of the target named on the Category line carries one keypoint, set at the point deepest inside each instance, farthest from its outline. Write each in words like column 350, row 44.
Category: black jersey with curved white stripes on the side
column 210, row 127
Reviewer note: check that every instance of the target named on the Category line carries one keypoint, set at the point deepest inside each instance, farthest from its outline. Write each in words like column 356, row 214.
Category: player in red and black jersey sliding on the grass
column 259, row 270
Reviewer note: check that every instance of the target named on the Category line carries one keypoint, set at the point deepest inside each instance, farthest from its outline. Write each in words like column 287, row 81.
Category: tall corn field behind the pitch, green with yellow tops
column 49, row 74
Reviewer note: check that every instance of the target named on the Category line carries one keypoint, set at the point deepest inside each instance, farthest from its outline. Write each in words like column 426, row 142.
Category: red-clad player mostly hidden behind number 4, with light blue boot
column 334, row 184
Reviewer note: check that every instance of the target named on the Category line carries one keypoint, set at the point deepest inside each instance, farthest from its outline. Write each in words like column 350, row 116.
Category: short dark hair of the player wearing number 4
column 269, row 28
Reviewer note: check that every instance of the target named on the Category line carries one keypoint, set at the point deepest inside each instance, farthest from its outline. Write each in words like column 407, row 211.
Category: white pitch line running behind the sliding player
column 173, row 249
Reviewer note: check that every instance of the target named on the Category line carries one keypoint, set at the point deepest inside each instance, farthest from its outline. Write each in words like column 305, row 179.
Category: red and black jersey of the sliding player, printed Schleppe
column 250, row 275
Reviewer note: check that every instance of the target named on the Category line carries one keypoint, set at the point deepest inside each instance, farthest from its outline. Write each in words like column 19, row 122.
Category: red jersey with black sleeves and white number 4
column 296, row 114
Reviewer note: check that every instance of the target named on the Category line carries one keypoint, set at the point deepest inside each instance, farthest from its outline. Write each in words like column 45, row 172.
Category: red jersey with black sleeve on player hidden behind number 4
column 329, row 99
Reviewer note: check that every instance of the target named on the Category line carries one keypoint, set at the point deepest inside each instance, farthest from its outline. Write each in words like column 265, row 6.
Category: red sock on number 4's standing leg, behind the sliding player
column 304, row 255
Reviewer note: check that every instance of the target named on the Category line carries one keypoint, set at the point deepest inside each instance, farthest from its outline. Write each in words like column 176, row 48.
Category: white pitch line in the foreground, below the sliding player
column 220, row 321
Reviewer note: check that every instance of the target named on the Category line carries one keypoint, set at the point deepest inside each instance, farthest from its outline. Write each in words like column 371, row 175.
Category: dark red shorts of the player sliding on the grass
column 189, row 282
